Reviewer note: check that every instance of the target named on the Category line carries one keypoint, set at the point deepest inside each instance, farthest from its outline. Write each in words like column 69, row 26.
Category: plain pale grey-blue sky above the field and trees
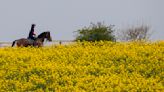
column 63, row 17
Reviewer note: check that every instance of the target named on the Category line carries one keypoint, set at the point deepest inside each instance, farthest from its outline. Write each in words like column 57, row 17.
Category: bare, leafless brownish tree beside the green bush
column 136, row 33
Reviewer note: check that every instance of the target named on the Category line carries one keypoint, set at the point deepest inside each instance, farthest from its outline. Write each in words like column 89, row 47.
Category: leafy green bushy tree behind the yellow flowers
column 96, row 32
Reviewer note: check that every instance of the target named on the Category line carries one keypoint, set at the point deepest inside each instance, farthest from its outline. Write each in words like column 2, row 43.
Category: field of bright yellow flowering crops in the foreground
column 80, row 67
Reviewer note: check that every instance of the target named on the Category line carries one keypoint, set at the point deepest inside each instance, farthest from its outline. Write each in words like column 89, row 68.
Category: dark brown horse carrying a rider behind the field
column 38, row 42
